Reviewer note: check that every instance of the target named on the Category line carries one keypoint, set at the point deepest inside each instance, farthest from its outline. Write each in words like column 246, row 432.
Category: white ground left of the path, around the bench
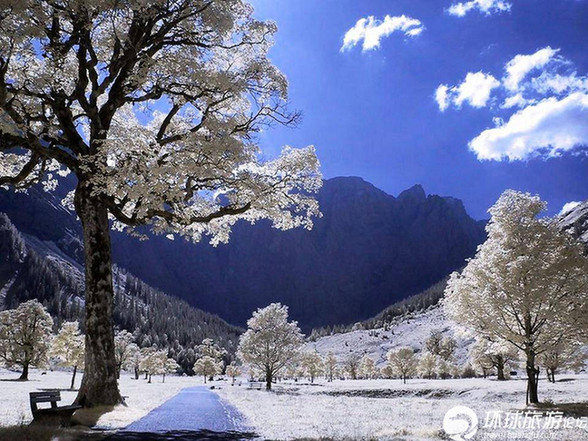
column 141, row 396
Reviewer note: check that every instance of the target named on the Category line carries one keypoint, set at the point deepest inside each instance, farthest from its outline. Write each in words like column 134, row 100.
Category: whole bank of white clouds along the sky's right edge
column 539, row 108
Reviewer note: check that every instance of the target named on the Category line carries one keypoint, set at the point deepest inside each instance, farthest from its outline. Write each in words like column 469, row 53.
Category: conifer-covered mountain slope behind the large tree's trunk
column 31, row 268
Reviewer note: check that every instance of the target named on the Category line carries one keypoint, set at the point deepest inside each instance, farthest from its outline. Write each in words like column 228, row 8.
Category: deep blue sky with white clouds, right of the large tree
column 377, row 113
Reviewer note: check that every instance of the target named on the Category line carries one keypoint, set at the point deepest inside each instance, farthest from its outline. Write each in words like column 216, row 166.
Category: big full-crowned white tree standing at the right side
column 527, row 284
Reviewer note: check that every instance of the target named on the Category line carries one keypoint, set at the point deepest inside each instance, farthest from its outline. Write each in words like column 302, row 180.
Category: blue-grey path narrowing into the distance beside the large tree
column 193, row 414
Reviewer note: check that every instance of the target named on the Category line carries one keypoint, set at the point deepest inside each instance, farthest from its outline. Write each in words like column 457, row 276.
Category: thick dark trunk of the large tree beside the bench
column 99, row 384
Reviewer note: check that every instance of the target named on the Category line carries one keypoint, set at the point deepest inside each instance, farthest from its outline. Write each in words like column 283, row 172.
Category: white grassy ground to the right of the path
column 388, row 409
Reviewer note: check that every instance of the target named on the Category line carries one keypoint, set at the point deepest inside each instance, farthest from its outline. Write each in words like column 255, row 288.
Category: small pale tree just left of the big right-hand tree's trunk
column 489, row 354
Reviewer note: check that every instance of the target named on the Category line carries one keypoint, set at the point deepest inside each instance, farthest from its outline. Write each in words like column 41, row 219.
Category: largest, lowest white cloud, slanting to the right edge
column 549, row 127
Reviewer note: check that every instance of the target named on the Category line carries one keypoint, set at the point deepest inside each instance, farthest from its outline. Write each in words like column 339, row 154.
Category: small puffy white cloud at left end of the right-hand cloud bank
column 475, row 90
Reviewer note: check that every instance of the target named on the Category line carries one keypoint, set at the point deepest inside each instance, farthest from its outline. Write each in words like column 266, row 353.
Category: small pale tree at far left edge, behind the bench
column 25, row 336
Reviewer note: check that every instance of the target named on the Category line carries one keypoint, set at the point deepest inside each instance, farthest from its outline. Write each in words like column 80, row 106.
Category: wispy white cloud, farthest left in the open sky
column 371, row 31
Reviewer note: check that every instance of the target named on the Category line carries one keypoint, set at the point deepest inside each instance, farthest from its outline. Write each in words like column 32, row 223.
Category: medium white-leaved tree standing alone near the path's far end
column 270, row 342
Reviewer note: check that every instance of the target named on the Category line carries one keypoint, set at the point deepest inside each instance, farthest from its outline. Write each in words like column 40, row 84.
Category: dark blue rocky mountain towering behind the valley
column 368, row 251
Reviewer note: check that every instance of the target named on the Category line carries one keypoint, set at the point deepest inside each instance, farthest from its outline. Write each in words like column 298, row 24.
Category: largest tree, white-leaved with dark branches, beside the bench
column 154, row 107
